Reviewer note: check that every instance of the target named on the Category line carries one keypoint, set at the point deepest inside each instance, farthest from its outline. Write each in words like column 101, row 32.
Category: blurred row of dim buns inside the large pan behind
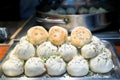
column 80, row 10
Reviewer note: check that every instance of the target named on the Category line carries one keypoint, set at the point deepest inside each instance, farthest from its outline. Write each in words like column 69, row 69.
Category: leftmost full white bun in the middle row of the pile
column 25, row 50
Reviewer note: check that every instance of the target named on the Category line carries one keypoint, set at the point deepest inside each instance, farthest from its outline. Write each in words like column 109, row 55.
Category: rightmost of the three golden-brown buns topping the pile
column 80, row 36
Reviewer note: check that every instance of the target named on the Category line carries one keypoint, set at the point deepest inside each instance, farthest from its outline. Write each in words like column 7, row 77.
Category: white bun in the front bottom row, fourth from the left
column 78, row 66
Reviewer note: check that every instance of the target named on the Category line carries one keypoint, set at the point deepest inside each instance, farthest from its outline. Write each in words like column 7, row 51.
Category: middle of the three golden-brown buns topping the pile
column 57, row 35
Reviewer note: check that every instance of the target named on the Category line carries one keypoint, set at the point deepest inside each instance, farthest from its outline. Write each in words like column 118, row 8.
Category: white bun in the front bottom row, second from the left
column 34, row 67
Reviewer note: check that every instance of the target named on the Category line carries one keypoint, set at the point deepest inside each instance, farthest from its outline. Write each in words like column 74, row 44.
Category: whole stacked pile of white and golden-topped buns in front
column 55, row 53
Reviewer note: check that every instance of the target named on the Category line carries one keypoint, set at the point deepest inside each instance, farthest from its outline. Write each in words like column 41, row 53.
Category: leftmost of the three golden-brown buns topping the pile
column 37, row 35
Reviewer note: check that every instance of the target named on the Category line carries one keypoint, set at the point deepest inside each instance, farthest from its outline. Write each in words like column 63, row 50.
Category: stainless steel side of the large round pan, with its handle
column 91, row 21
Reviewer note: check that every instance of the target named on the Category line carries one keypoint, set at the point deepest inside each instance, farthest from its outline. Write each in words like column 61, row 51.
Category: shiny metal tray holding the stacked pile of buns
column 112, row 75
